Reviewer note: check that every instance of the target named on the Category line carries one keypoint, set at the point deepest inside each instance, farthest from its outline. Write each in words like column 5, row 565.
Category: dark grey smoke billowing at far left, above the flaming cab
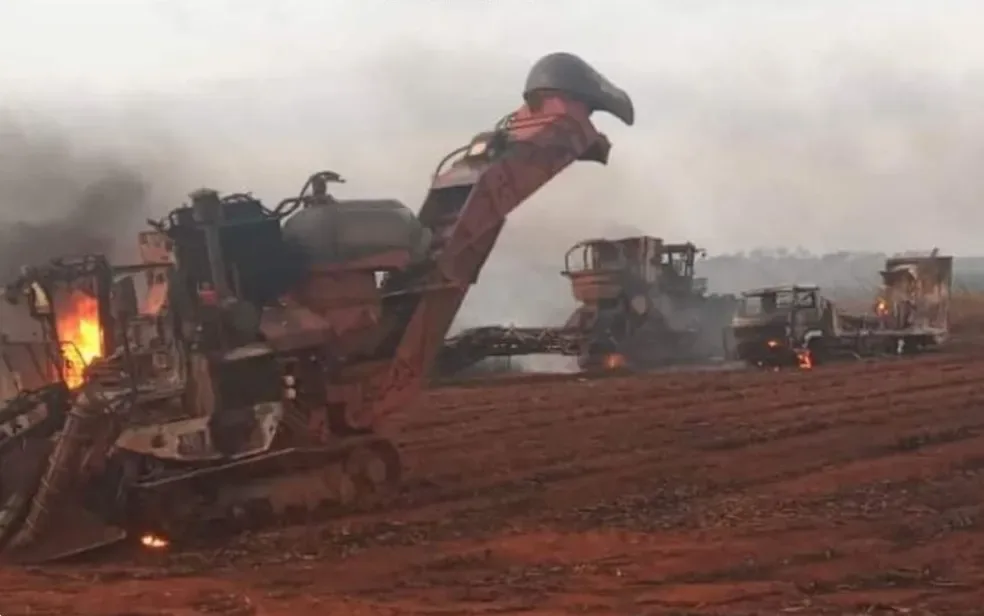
column 67, row 193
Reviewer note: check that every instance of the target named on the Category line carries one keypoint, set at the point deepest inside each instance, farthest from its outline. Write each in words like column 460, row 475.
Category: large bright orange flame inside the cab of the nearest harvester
column 77, row 323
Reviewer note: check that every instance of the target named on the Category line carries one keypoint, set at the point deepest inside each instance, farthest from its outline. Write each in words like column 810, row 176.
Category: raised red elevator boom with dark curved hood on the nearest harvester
column 468, row 203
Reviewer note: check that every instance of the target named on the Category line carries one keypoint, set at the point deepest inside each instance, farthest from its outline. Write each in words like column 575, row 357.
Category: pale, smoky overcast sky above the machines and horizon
column 827, row 124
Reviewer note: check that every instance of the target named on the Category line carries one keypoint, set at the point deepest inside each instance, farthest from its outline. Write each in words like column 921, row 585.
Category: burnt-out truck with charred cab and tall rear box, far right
column 797, row 325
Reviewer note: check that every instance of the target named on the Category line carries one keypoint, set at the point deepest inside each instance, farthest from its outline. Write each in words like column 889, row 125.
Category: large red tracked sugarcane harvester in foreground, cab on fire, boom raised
column 248, row 387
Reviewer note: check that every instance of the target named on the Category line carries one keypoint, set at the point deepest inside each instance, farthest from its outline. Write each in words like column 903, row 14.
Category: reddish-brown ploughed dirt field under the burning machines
column 851, row 489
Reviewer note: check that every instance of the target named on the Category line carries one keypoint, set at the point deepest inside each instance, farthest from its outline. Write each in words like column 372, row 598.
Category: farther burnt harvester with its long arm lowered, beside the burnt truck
column 640, row 306
